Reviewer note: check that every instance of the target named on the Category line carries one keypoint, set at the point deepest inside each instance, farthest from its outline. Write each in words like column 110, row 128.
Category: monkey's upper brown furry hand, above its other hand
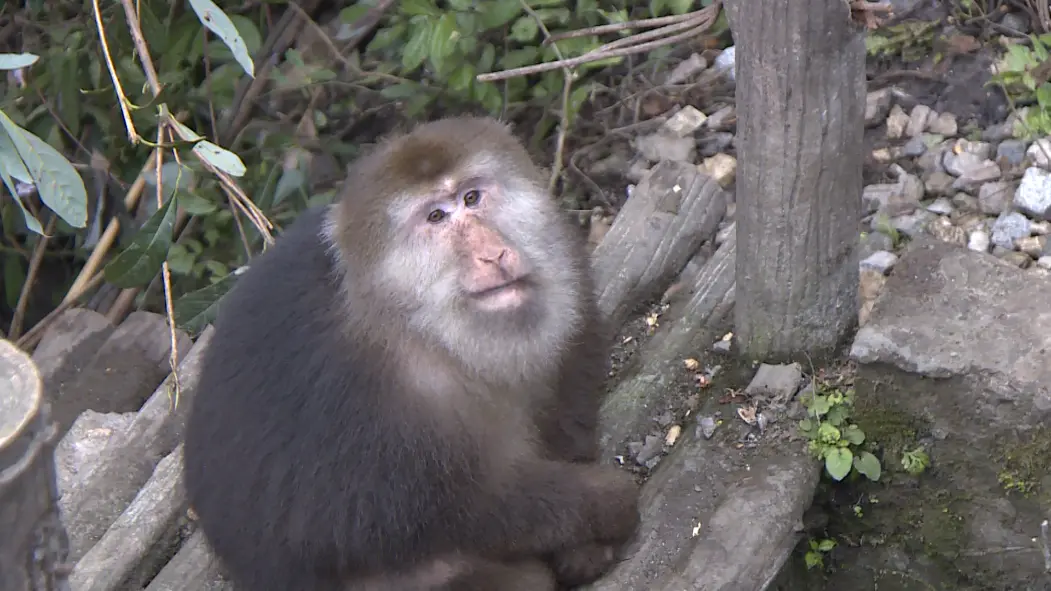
column 615, row 499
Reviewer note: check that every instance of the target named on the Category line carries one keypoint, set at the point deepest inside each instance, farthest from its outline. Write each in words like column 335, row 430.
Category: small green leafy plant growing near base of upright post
column 832, row 435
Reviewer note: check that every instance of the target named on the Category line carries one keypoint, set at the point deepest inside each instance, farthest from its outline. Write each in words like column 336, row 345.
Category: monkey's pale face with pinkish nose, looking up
column 466, row 250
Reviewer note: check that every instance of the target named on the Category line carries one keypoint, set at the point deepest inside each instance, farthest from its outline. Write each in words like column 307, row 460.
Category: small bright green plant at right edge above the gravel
column 1023, row 75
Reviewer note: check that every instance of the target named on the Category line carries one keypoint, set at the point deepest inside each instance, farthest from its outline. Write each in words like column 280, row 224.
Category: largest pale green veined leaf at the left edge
column 59, row 186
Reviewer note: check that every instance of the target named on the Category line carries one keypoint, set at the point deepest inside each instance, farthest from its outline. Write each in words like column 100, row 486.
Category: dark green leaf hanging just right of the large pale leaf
column 141, row 261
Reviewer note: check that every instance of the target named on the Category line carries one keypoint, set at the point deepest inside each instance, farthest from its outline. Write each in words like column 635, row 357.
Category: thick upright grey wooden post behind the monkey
column 800, row 103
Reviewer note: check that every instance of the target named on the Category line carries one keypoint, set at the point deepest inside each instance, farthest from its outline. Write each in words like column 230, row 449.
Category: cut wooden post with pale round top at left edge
column 34, row 546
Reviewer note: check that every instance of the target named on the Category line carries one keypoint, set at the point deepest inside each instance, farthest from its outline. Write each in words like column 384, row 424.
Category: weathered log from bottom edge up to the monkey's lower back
column 141, row 541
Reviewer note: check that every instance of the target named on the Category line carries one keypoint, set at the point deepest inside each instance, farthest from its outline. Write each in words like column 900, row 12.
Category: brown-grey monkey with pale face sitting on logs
column 402, row 394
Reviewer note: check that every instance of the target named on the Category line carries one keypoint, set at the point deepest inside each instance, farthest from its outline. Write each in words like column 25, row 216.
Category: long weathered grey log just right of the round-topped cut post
column 130, row 460
